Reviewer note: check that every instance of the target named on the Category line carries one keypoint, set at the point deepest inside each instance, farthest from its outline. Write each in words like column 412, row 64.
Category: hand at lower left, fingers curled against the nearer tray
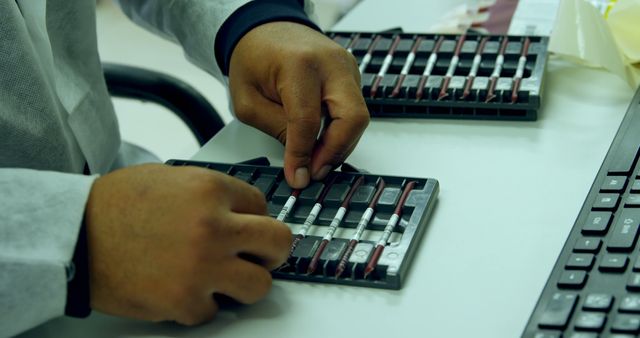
column 163, row 240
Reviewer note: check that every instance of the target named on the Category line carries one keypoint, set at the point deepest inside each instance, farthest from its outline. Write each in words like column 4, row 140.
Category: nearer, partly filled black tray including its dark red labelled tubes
column 352, row 228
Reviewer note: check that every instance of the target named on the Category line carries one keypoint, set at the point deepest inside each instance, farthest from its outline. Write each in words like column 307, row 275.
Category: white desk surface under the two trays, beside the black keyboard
column 510, row 192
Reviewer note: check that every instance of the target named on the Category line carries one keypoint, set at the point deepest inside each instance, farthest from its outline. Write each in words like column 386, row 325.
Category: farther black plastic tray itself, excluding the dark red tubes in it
column 452, row 107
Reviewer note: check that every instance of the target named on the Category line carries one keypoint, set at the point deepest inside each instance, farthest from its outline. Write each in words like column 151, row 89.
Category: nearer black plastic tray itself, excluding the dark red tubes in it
column 394, row 263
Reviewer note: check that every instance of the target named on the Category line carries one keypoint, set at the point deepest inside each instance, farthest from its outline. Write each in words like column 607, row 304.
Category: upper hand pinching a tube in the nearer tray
column 282, row 75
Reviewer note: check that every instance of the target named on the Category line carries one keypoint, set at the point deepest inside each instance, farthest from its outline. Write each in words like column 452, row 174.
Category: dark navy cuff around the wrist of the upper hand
column 251, row 15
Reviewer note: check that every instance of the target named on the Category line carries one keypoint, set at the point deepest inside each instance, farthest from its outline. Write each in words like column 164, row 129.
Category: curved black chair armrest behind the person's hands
column 174, row 94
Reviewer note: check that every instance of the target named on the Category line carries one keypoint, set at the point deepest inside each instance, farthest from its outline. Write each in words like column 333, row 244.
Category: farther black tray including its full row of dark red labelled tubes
column 450, row 76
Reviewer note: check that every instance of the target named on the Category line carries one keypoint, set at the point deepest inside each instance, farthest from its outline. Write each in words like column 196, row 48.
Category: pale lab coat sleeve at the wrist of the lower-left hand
column 40, row 216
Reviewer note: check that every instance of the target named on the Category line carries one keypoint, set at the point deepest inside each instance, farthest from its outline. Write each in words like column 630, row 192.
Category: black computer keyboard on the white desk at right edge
column 594, row 288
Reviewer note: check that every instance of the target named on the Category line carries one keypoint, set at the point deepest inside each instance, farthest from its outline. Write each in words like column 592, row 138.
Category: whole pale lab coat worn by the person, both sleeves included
column 55, row 116
